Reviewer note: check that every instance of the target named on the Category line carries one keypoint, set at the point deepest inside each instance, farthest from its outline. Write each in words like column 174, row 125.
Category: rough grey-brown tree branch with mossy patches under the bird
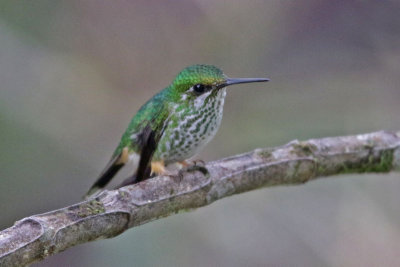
column 112, row 212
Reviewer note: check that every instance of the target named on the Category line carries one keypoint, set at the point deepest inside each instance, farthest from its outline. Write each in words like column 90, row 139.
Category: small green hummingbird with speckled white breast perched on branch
column 173, row 126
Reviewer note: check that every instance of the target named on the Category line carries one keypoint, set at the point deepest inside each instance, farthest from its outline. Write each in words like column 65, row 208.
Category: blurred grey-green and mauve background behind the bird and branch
column 74, row 72
